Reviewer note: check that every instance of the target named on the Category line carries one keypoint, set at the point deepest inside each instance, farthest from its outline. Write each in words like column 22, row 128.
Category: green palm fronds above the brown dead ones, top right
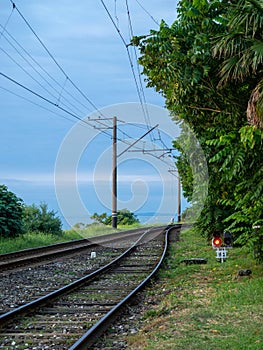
column 241, row 45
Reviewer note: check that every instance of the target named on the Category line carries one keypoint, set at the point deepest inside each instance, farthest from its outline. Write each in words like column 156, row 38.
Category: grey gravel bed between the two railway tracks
column 21, row 286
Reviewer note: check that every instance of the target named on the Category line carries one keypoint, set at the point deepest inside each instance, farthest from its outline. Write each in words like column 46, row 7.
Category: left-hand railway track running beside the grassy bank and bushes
column 28, row 257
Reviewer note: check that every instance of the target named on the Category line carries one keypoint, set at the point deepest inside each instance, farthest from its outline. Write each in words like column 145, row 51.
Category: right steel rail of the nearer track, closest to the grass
column 95, row 331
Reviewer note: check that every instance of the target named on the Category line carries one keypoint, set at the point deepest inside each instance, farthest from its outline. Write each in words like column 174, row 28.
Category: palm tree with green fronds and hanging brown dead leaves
column 241, row 48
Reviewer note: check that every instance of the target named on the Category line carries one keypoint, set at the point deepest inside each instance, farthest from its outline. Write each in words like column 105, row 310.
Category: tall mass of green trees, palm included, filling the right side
column 208, row 66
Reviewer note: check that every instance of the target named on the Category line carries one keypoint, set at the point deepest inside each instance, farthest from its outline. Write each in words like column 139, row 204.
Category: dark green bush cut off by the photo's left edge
column 11, row 208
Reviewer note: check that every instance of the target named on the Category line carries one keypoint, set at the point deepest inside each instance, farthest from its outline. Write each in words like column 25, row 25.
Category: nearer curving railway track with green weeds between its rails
column 73, row 316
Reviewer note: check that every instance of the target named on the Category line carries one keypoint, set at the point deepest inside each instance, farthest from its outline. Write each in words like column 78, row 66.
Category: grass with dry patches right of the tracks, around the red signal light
column 204, row 306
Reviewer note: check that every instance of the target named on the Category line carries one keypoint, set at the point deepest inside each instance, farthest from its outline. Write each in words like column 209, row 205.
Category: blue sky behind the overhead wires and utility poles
column 83, row 40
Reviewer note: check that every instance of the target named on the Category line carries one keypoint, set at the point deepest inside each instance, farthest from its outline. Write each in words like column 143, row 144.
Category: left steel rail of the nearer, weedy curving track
column 42, row 301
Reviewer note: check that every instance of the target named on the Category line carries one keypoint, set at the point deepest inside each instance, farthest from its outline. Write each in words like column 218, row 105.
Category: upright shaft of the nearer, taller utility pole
column 114, row 173
